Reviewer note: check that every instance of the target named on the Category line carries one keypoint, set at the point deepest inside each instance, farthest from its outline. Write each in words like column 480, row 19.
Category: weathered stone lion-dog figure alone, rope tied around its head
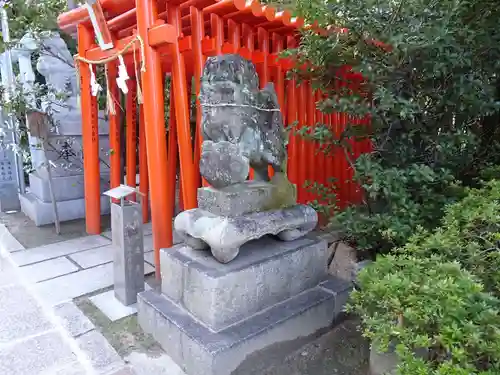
column 242, row 126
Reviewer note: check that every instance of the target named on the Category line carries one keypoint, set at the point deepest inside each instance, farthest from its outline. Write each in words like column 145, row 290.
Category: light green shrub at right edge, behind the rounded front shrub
column 469, row 234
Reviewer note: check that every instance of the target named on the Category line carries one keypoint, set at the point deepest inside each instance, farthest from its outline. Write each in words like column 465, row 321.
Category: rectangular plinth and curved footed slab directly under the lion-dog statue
column 229, row 217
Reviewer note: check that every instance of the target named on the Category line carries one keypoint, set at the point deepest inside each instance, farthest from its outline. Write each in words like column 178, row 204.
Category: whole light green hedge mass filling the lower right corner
column 441, row 292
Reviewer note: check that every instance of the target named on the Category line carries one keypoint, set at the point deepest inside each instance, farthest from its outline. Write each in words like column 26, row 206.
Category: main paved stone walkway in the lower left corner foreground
column 39, row 339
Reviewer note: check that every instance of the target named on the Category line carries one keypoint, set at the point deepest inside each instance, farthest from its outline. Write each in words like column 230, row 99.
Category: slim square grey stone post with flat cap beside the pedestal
column 128, row 244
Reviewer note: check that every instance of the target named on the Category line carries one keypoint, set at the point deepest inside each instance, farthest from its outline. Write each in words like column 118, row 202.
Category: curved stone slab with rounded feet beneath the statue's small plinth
column 225, row 235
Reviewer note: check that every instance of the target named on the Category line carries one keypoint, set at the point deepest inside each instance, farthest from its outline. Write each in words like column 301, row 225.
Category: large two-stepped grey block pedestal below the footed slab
column 244, row 316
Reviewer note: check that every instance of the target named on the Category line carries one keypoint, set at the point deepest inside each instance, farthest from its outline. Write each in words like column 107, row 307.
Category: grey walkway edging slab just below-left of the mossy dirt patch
column 101, row 354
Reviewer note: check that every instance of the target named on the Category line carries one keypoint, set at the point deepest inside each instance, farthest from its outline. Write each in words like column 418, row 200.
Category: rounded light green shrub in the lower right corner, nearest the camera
column 429, row 303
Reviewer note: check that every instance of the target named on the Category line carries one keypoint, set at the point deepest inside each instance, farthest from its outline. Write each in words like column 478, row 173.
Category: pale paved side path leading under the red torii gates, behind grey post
column 69, row 269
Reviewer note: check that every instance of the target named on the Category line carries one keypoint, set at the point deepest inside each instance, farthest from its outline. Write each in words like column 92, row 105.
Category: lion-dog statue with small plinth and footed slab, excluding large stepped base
column 242, row 128
